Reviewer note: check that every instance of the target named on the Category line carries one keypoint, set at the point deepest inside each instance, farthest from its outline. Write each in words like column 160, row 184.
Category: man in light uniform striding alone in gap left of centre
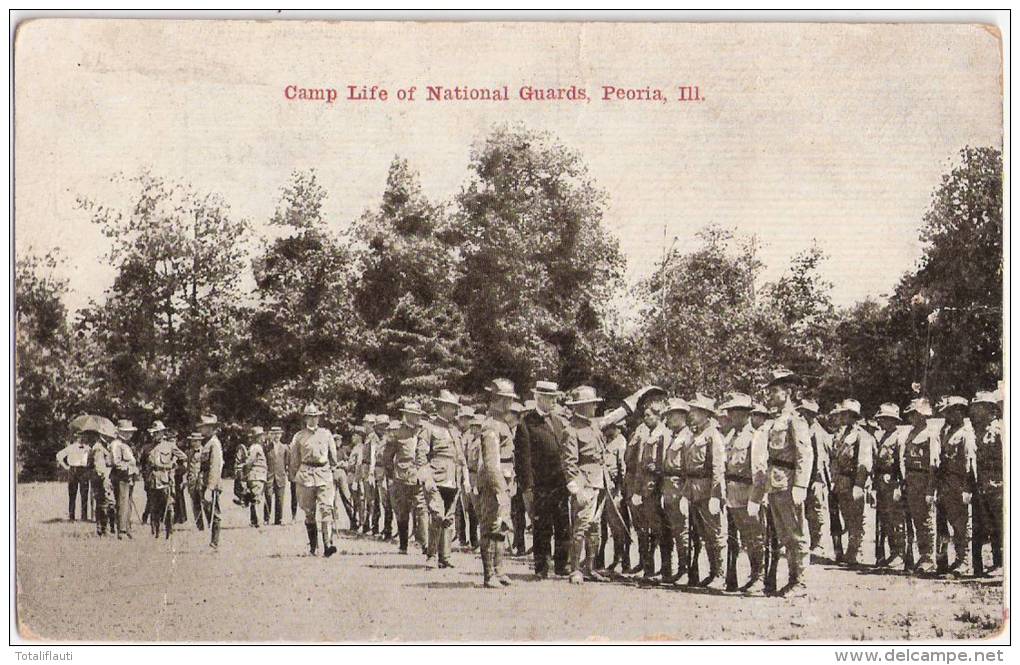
column 316, row 454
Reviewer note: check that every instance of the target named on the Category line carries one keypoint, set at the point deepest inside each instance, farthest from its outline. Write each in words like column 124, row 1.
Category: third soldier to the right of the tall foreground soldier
column 889, row 474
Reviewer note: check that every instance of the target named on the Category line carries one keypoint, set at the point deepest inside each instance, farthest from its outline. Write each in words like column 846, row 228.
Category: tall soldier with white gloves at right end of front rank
column 789, row 477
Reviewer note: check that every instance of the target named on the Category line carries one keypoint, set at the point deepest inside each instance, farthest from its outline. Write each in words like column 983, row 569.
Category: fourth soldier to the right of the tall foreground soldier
column 921, row 455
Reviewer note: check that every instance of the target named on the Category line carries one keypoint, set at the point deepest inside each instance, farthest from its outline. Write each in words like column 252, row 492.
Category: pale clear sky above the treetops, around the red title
column 833, row 133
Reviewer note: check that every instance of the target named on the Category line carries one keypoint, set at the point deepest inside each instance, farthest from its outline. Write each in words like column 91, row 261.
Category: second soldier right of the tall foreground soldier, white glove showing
column 853, row 452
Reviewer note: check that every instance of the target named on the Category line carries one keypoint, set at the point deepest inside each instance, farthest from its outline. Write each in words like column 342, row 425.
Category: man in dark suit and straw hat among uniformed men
column 544, row 485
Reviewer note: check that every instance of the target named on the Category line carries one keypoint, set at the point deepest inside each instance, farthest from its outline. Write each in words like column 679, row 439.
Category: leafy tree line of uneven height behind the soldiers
column 515, row 276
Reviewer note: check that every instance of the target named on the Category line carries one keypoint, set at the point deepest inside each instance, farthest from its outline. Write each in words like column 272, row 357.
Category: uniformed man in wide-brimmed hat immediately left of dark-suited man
column 493, row 491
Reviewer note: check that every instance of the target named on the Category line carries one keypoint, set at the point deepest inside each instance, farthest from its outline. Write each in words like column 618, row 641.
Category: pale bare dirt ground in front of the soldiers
column 263, row 587
